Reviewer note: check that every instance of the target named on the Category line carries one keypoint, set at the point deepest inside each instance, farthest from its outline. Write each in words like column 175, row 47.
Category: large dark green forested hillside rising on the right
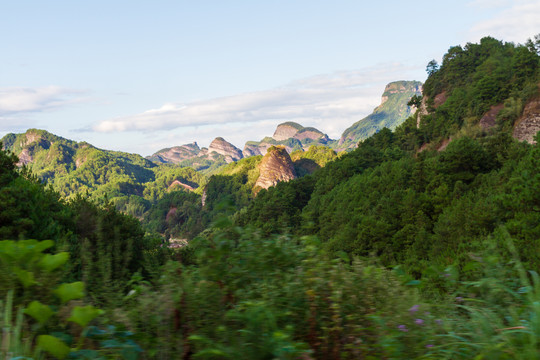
column 396, row 199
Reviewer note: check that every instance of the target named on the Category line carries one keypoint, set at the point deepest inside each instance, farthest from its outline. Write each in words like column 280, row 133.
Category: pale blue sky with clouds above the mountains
column 139, row 76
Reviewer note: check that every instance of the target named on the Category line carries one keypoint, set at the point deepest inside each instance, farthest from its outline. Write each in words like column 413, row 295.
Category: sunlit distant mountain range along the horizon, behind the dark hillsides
column 77, row 167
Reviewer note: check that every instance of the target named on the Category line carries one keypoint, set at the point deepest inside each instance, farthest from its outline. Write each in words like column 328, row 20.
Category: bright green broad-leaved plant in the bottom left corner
column 44, row 329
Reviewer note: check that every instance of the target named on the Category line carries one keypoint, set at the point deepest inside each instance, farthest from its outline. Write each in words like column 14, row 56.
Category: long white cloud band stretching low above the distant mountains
column 331, row 102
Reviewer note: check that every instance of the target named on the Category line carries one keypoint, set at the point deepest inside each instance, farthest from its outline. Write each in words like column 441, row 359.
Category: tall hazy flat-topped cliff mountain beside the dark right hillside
column 391, row 113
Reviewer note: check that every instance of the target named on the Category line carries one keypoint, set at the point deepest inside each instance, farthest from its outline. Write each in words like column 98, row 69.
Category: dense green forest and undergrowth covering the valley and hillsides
column 423, row 242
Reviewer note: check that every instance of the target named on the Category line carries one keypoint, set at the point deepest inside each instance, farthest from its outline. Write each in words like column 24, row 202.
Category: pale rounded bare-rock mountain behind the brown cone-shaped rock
column 292, row 136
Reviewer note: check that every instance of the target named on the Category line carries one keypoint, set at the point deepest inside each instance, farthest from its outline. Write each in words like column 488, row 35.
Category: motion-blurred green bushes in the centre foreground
column 254, row 297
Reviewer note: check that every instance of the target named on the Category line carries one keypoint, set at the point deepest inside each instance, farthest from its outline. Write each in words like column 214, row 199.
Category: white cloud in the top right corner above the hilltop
column 517, row 21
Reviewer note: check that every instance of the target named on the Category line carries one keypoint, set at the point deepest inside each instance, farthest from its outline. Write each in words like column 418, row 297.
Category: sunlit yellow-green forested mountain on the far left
column 71, row 168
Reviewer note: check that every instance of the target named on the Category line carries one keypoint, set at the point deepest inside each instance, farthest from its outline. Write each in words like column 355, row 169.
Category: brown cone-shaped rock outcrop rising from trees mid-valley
column 275, row 166
